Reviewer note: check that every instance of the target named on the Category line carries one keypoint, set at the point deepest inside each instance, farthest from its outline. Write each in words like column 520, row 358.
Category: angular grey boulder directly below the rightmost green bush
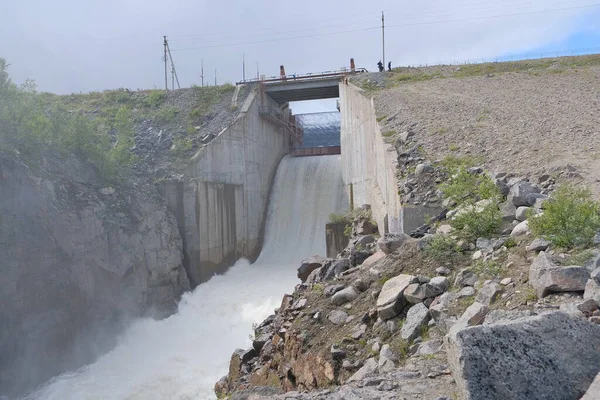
column 546, row 277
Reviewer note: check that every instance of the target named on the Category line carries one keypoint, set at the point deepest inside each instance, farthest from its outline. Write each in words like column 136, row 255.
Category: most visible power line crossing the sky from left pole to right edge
column 389, row 26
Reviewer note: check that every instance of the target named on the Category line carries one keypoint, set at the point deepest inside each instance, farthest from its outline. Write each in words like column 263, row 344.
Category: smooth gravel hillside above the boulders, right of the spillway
column 528, row 117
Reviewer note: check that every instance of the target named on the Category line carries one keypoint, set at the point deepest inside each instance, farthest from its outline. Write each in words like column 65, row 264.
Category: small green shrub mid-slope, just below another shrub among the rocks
column 477, row 221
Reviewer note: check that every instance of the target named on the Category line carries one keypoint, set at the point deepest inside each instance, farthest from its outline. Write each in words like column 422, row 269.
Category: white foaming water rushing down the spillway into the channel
column 182, row 357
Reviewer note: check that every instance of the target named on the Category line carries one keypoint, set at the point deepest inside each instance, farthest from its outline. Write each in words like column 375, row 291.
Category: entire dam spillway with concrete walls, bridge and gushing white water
column 247, row 213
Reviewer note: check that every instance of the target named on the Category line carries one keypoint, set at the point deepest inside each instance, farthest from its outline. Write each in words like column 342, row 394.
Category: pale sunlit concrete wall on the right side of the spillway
column 368, row 163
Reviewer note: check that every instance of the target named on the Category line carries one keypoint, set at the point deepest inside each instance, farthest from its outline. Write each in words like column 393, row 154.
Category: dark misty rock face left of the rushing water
column 76, row 264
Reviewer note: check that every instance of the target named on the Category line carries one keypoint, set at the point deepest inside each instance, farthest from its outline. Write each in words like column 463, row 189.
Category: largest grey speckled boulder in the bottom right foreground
column 552, row 356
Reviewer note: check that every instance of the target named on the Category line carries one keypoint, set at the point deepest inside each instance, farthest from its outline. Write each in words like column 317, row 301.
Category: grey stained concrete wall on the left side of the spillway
column 220, row 205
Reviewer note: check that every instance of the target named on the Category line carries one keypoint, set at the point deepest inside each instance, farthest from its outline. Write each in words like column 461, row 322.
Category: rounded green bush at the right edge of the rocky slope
column 570, row 219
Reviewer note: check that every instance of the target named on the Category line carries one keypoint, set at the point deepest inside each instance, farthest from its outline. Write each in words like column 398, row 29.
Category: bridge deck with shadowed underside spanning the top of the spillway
column 290, row 90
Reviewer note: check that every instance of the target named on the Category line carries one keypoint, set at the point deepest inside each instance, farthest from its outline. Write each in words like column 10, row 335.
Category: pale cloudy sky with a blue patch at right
column 80, row 46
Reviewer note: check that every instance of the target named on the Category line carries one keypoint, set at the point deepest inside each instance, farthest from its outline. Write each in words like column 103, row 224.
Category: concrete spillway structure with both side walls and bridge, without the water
column 221, row 204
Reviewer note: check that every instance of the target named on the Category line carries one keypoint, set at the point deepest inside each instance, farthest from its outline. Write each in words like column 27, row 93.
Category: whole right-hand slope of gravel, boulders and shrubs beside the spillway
column 480, row 303
